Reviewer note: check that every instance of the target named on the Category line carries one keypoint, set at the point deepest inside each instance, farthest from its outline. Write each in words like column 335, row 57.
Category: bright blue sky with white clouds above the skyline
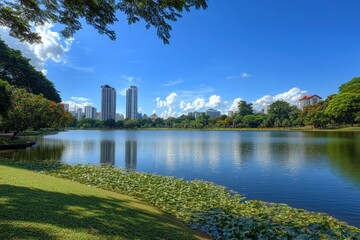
column 259, row 51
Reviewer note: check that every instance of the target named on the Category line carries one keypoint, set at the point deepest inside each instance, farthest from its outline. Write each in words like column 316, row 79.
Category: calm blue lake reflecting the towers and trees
column 318, row 171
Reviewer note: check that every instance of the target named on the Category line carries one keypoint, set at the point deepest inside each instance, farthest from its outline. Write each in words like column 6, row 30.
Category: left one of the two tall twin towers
column 108, row 102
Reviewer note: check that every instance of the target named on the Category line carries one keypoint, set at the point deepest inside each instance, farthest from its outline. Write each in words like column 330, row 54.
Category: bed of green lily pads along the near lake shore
column 211, row 208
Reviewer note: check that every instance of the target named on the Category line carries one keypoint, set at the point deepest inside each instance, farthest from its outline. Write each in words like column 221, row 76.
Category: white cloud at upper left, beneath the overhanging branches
column 53, row 47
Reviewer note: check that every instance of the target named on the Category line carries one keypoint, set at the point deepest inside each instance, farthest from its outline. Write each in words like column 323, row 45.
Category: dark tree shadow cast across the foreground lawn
column 106, row 217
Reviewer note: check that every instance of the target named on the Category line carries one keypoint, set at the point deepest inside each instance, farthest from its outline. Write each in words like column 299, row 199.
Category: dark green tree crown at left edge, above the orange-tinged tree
column 16, row 70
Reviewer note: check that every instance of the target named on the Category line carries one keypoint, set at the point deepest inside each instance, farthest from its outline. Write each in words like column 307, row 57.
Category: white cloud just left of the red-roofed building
column 292, row 96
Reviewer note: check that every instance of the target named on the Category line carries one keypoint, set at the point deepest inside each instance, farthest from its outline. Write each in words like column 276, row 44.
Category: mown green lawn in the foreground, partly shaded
column 38, row 206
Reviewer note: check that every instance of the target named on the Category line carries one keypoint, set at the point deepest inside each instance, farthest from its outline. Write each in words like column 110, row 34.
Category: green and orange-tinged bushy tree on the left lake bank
column 30, row 111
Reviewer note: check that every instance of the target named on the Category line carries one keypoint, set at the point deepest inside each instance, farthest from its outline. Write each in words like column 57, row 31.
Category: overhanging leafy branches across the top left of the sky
column 19, row 14
